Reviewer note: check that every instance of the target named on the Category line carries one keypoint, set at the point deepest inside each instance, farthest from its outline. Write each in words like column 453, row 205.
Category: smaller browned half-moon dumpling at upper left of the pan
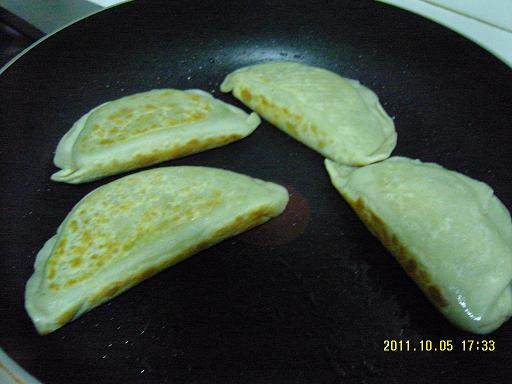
column 147, row 128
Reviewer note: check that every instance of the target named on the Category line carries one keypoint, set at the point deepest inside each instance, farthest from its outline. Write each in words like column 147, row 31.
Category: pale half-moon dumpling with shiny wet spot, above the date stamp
column 448, row 231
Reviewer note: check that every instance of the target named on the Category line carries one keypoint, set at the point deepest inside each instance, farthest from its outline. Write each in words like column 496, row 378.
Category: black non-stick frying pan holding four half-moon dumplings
column 307, row 298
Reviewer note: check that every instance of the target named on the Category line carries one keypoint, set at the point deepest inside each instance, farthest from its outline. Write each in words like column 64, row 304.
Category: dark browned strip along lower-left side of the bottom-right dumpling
column 404, row 256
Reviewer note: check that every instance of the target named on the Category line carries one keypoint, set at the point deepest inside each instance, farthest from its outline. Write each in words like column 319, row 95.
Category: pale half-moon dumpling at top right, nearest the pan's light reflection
column 337, row 117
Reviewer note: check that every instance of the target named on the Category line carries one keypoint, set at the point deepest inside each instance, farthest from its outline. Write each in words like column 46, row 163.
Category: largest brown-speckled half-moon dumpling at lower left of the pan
column 132, row 228
